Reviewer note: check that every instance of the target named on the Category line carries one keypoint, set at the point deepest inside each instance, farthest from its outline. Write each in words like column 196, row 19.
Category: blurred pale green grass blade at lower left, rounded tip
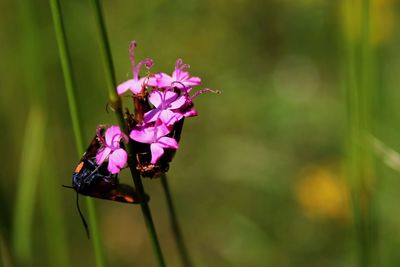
column 32, row 148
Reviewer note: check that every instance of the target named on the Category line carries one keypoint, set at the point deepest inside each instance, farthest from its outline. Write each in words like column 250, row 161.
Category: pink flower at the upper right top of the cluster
column 179, row 78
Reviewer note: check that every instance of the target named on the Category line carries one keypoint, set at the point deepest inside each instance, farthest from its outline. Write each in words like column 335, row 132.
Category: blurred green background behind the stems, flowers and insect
column 259, row 178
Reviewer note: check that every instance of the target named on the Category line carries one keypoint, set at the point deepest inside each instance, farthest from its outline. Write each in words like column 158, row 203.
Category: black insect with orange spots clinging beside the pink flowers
column 91, row 179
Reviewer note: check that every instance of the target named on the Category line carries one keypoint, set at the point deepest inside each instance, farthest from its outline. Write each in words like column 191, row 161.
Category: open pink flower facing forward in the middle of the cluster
column 166, row 107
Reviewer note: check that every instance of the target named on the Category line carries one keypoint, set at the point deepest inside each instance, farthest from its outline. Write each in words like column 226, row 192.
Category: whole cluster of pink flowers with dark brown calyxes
column 161, row 103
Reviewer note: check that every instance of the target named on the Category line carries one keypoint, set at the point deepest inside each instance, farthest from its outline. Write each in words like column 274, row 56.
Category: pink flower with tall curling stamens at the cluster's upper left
column 136, row 84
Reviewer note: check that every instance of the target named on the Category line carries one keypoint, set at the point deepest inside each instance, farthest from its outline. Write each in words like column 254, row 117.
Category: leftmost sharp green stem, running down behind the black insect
column 76, row 122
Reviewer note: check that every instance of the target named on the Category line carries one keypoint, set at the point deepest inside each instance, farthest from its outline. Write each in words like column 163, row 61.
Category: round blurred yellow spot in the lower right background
column 322, row 194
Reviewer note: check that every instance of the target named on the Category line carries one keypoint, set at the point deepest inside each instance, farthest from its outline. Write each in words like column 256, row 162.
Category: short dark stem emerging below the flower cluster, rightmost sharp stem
column 174, row 224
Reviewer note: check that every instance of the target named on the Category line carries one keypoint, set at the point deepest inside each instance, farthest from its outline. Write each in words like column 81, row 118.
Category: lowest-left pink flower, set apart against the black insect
column 117, row 157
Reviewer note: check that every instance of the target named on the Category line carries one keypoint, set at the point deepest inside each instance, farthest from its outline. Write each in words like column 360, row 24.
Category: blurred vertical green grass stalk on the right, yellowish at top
column 360, row 167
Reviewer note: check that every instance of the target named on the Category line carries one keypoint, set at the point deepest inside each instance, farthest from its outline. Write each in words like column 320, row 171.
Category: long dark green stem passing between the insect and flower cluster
column 116, row 104
